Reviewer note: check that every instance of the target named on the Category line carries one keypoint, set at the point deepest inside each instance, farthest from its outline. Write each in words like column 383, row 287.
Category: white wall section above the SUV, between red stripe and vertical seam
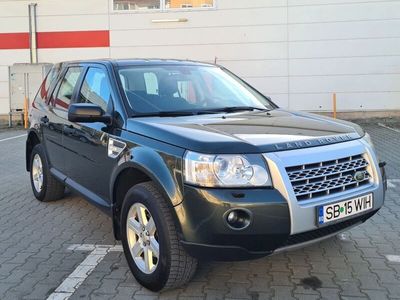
column 248, row 37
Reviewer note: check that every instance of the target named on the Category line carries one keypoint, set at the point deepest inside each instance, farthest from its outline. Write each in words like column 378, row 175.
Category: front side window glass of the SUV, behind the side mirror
column 95, row 88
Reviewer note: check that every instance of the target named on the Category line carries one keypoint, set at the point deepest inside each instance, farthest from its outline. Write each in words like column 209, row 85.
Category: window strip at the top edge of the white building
column 161, row 4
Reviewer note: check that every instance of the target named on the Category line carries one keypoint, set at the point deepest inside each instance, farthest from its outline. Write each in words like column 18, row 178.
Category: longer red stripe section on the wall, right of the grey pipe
column 73, row 39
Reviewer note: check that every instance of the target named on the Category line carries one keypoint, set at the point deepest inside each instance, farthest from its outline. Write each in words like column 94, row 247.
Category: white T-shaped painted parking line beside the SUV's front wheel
column 68, row 287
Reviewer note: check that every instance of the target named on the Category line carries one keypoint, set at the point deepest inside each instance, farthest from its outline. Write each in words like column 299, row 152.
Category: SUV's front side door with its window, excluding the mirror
column 87, row 158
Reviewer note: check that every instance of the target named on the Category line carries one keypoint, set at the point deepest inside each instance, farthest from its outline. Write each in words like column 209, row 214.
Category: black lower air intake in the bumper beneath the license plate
column 327, row 230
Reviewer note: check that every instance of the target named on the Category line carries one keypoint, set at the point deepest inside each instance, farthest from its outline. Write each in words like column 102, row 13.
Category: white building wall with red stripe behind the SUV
column 299, row 52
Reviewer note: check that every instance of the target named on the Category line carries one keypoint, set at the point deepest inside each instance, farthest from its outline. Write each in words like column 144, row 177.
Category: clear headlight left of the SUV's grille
column 226, row 170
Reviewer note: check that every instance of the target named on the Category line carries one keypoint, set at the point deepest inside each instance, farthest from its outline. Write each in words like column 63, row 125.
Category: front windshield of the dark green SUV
column 163, row 89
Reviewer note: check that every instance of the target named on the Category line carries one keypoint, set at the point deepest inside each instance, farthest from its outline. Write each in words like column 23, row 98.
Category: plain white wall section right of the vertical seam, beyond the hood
column 348, row 47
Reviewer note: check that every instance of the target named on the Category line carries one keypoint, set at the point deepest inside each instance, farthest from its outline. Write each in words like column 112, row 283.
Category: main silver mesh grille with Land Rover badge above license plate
column 319, row 179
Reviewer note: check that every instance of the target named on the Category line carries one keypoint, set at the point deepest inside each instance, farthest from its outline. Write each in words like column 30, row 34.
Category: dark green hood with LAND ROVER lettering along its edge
column 246, row 132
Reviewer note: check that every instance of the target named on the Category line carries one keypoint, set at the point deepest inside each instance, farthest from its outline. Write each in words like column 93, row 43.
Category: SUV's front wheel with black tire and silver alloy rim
column 173, row 267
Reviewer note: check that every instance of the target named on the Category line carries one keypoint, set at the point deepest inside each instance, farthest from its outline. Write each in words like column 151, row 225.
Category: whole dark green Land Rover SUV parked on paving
column 192, row 162
